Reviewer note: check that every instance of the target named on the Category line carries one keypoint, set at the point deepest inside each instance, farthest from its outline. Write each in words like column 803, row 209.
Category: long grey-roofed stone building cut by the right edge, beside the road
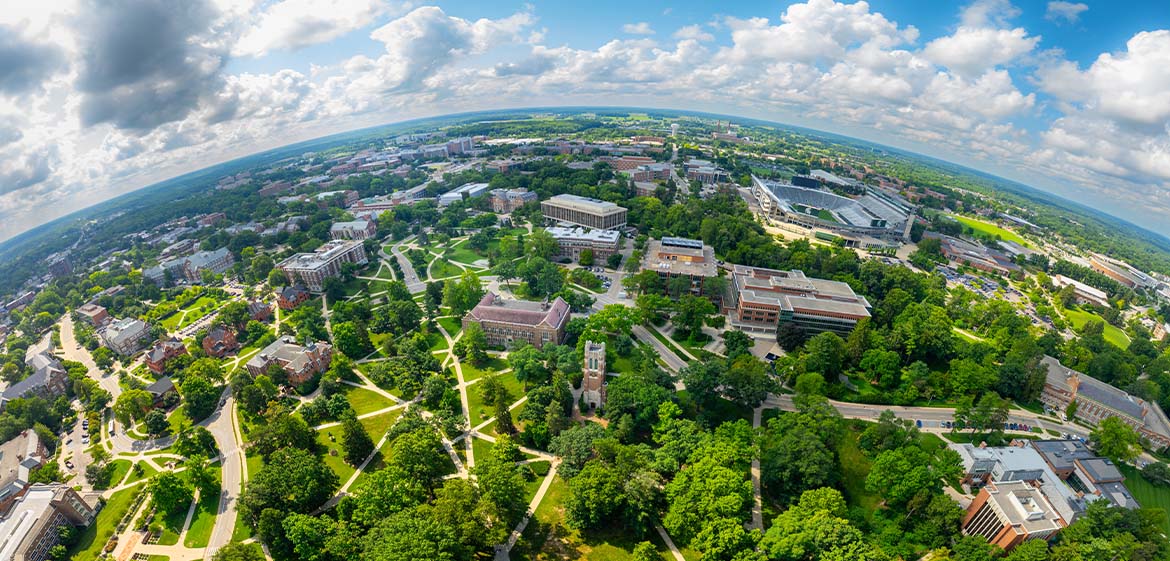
column 1098, row 401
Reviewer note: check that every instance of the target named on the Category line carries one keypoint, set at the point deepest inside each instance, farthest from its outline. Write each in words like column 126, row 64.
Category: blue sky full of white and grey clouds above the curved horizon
column 100, row 98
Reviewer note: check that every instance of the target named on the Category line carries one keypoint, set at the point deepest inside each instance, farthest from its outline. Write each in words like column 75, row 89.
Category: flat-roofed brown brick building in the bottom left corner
column 30, row 530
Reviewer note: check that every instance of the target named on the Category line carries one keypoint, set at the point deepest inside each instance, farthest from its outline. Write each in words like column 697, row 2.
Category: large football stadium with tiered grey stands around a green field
column 875, row 221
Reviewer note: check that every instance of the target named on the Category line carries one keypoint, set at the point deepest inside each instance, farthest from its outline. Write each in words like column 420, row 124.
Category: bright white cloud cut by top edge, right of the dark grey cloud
column 291, row 25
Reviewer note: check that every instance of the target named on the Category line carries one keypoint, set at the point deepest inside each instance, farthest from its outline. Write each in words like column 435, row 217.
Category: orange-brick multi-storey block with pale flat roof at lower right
column 1009, row 514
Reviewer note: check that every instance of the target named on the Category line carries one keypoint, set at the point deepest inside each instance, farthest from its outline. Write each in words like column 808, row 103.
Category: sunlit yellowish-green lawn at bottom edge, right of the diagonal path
column 547, row 537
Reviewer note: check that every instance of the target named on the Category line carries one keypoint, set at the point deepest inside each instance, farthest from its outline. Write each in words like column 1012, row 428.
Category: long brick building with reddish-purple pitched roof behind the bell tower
column 508, row 321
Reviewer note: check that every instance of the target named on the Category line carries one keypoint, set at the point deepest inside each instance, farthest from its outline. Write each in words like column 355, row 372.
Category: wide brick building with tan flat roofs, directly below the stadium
column 761, row 299
